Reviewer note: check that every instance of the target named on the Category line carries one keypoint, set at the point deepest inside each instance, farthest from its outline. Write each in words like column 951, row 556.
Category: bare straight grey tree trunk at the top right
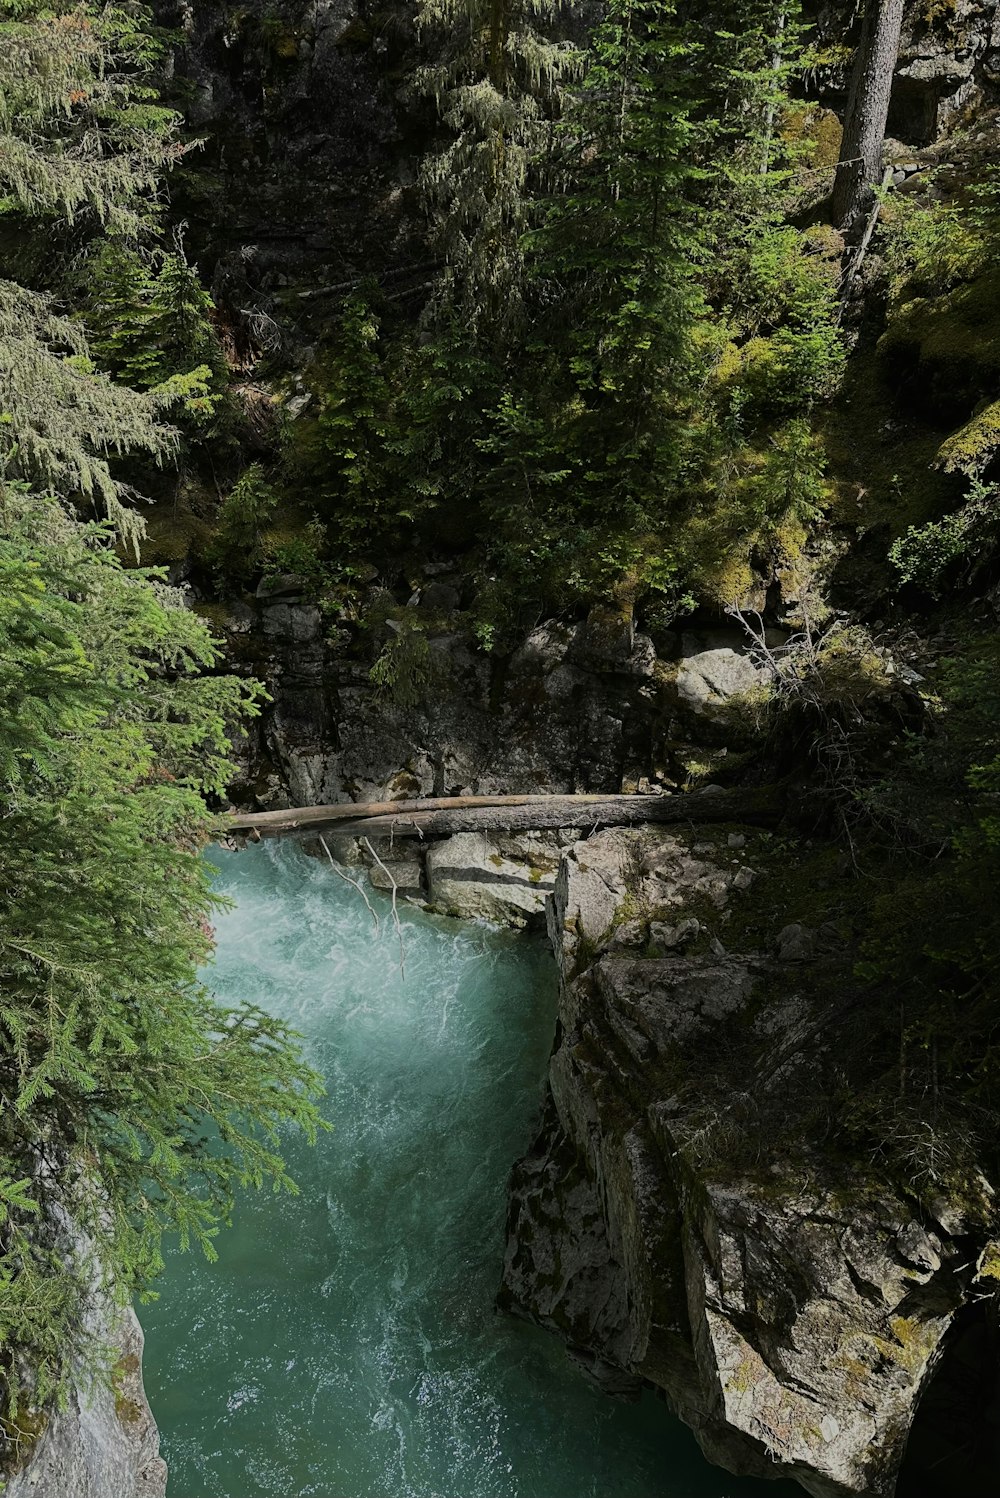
column 860, row 170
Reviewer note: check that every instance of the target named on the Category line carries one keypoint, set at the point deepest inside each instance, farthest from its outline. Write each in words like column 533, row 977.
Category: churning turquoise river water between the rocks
column 347, row 1344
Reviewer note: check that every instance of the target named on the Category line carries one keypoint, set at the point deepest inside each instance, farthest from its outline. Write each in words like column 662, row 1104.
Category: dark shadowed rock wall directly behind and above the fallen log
column 594, row 706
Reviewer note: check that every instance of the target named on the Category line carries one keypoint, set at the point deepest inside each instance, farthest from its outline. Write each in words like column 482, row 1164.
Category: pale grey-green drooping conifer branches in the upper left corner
column 85, row 142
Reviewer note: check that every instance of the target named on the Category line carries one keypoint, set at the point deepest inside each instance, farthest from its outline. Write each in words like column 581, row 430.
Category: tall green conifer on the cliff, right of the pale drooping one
column 586, row 441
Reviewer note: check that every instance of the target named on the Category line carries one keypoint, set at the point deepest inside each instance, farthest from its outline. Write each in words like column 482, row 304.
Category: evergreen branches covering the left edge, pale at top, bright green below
column 132, row 1103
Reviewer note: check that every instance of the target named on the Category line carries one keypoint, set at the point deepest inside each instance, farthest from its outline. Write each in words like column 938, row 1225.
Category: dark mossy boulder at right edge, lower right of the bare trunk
column 947, row 350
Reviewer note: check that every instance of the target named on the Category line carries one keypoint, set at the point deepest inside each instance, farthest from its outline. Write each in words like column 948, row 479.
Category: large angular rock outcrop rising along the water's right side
column 682, row 1223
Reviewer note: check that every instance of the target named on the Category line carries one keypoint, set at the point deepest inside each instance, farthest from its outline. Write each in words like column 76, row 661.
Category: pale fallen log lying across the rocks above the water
column 441, row 817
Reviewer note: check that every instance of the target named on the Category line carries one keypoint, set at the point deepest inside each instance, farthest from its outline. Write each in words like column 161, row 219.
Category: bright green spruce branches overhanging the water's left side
column 132, row 1099
